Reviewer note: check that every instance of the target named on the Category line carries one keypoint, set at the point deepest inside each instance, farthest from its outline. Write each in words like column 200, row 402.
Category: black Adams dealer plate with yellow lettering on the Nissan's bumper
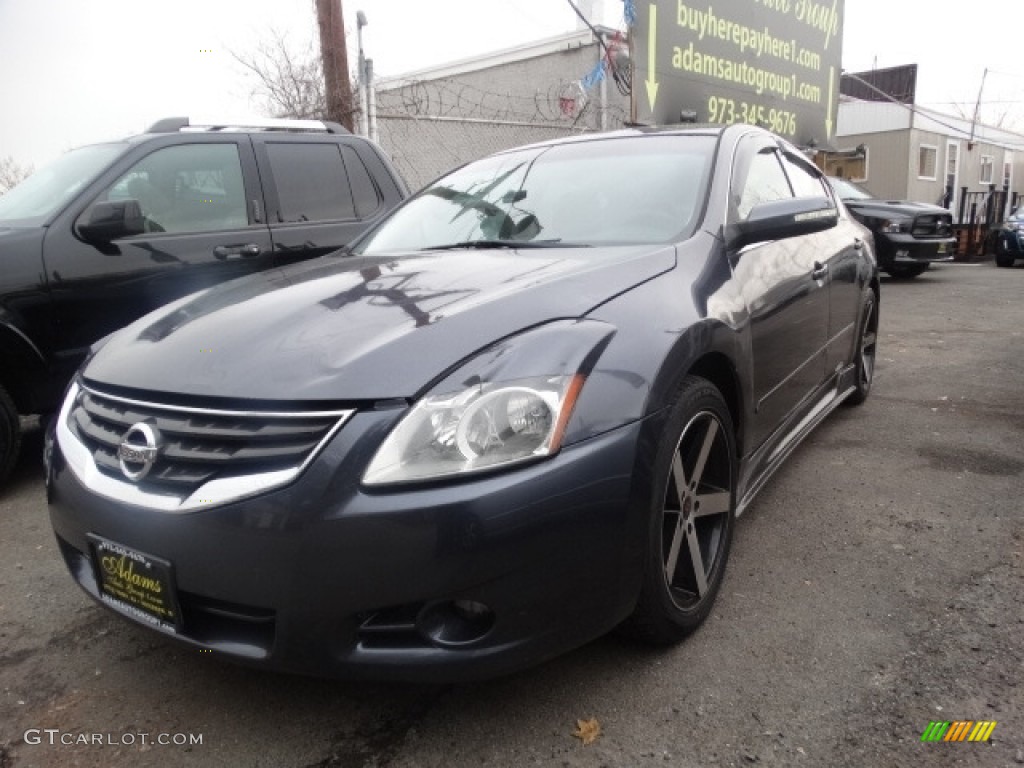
column 139, row 584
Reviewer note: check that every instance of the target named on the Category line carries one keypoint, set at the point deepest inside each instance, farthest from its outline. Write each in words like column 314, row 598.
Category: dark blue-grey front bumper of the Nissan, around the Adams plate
column 329, row 579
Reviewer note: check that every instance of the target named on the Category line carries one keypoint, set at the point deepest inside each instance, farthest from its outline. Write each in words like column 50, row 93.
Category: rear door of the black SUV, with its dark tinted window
column 320, row 194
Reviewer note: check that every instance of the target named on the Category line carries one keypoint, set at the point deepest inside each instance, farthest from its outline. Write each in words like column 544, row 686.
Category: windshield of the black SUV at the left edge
column 47, row 191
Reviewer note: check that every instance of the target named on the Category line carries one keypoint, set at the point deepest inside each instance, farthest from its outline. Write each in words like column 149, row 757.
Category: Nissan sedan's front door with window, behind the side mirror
column 786, row 288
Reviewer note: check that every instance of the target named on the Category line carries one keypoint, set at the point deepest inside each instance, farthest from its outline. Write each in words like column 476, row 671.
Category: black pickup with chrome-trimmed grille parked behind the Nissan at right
column 909, row 237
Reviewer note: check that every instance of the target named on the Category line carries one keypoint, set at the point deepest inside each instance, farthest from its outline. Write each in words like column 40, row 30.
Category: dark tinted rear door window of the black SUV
column 312, row 183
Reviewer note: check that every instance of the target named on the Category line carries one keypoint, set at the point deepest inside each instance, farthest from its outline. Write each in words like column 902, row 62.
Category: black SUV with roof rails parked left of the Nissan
column 110, row 232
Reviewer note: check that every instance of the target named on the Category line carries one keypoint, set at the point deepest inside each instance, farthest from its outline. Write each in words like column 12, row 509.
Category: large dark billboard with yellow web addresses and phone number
column 770, row 63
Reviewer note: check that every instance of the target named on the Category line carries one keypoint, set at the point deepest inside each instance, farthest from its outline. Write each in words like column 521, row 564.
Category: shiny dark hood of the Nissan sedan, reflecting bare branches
column 358, row 328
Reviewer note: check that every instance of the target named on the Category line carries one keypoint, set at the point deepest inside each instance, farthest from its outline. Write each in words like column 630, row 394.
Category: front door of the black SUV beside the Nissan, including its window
column 197, row 200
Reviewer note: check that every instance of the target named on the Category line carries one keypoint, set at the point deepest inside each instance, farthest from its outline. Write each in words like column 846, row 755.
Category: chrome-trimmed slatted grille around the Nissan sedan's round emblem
column 205, row 457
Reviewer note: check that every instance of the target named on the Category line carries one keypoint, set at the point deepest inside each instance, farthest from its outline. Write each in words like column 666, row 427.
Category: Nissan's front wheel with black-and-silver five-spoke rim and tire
column 693, row 522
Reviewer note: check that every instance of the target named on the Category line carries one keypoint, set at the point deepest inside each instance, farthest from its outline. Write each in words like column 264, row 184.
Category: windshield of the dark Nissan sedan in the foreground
column 609, row 192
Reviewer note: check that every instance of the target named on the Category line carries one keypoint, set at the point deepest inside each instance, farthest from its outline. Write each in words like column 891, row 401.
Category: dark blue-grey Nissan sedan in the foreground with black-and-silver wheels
column 525, row 410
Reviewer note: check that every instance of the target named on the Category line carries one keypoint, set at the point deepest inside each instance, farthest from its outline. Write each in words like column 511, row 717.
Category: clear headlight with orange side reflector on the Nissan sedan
column 511, row 404
